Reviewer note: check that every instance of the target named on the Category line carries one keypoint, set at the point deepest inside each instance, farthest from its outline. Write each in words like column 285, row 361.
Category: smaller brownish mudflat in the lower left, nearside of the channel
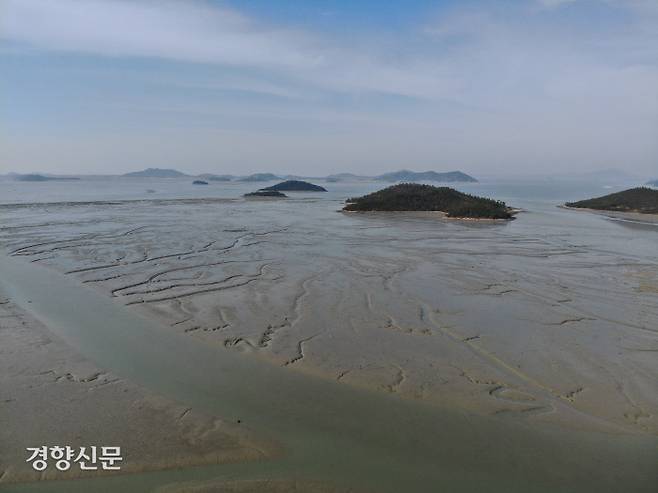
column 50, row 396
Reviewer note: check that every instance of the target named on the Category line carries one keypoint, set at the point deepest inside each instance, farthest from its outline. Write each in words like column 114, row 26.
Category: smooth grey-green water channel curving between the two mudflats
column 331, row 431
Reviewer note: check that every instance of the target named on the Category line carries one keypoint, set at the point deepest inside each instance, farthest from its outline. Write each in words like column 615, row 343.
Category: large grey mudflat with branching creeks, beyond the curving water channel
column 536, row 323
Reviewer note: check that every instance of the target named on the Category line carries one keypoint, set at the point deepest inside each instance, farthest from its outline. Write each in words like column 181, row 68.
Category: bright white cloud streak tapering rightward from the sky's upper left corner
column 187, row 31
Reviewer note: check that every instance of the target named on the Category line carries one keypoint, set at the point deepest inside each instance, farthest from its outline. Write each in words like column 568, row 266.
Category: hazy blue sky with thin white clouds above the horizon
column 329, row 86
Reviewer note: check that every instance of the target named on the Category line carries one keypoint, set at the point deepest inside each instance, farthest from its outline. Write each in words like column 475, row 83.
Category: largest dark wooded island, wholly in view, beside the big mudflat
column 416, row 197
